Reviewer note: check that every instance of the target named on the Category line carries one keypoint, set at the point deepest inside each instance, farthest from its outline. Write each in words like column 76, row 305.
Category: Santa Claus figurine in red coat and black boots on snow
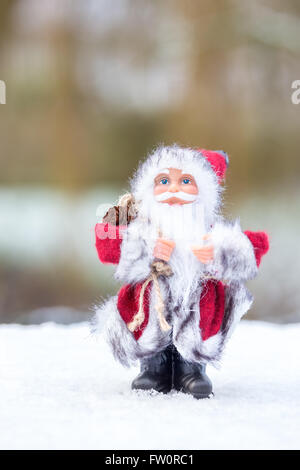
column 183, row 269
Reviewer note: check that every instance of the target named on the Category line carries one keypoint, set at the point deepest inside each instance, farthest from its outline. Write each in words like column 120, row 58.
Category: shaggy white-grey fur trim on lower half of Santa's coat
column 185, row 334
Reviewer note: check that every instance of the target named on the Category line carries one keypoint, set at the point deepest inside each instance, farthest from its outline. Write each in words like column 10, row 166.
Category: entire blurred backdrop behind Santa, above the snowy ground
column 92, row 86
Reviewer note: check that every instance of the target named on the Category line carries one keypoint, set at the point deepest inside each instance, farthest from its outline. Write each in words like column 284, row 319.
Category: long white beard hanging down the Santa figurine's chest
column 184, row 224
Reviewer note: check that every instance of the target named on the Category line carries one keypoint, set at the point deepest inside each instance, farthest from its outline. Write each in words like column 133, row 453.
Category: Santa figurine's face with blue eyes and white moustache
column 172, row 186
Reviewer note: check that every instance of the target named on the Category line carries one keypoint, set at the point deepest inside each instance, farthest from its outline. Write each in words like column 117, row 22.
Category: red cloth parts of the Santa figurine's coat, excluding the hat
column 212, row 301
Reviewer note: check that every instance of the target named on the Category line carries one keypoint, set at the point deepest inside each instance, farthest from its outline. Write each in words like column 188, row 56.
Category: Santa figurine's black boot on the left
column 156, row 373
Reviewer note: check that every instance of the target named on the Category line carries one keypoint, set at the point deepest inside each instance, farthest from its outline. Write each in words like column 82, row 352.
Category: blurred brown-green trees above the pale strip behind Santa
column 94, row 87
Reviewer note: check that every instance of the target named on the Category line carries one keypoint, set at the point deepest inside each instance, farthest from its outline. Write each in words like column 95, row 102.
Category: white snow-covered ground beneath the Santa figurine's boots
column 61, row 389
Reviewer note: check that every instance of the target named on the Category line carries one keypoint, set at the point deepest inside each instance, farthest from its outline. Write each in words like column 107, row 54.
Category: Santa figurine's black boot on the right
column 190, row 377
